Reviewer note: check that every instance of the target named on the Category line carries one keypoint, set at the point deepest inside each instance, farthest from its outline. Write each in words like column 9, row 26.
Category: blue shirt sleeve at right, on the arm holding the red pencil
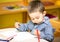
column 48, row 33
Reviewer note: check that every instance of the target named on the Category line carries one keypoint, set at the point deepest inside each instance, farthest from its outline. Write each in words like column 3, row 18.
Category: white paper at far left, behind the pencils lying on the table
column 6, row 33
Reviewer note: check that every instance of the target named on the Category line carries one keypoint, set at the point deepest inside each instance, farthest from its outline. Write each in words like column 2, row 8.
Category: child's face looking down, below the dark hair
column 36, row 17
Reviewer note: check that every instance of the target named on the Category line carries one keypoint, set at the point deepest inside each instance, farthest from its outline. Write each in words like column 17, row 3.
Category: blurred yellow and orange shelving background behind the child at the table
column 12, row 11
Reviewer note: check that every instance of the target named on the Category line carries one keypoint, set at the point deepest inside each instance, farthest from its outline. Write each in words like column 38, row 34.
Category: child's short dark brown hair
column 36, row 5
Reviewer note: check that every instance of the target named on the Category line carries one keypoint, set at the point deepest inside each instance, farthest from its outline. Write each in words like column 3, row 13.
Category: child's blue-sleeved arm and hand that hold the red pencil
column 47, row 35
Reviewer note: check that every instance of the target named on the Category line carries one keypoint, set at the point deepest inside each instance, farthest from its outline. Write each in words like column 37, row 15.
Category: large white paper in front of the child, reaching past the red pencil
column 26, row 37
